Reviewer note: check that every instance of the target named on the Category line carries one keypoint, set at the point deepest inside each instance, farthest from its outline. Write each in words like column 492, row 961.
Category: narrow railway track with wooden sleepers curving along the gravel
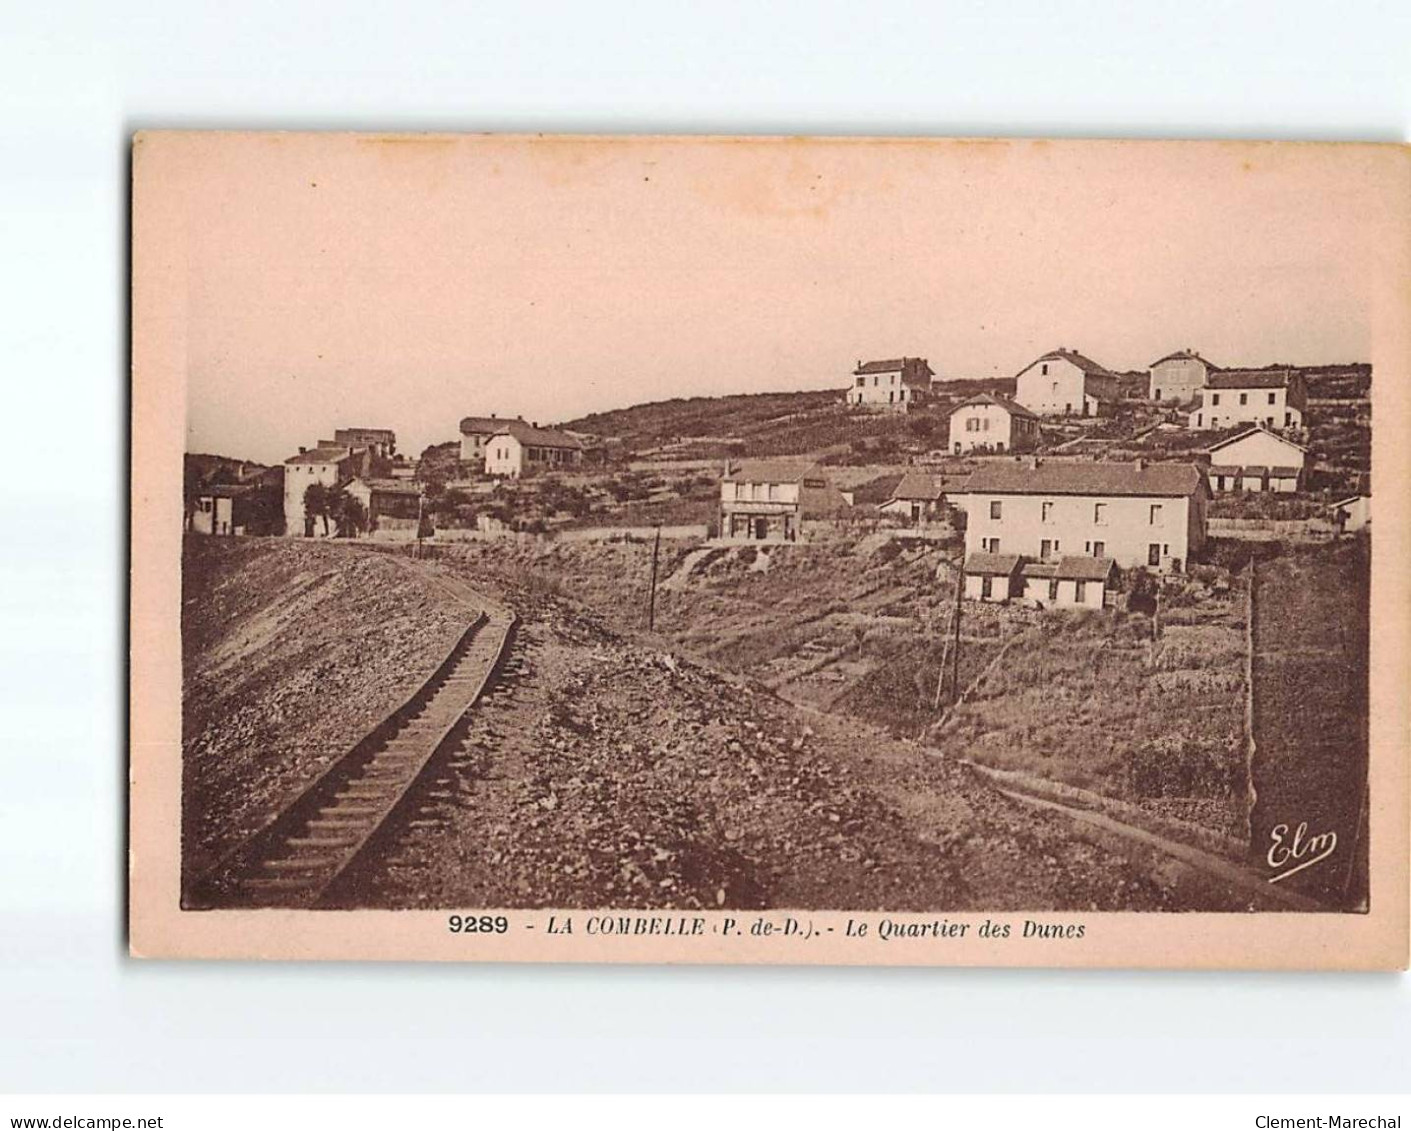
column 310, row 855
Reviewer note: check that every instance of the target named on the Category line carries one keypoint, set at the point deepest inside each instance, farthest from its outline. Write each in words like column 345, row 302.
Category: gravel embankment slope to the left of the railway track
column 293, row 651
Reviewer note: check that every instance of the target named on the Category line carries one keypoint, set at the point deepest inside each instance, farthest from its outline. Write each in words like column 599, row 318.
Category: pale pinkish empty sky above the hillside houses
column 408, row 281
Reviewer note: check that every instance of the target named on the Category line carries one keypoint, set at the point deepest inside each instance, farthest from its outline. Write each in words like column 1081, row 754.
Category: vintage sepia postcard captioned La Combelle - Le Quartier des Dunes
column 770, row 551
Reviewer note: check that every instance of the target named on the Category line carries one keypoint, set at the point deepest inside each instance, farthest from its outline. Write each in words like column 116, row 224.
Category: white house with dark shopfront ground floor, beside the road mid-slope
column 770, row 501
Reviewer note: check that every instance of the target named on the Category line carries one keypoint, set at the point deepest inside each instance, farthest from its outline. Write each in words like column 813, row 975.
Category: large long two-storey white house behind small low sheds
column 1134, row 514
